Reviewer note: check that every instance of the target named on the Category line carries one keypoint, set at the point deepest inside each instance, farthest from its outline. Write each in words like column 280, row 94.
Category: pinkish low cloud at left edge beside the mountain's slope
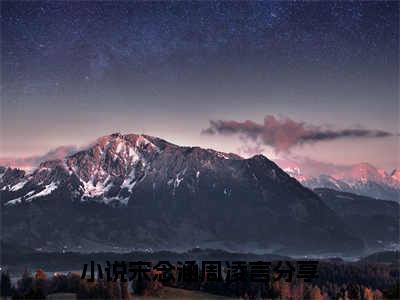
column 31, row 162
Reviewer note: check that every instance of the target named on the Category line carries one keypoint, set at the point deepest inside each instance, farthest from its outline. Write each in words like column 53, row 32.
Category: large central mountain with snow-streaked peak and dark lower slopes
column 137, row 191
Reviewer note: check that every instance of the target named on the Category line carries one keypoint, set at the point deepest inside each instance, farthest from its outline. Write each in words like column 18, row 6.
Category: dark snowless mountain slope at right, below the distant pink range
column 375, row 221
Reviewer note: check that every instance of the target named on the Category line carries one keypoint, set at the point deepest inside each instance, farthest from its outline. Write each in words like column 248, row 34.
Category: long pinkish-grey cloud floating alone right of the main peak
column 282, row 134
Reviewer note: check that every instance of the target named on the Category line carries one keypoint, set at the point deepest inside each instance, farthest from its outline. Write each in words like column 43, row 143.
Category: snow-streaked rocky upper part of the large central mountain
column 108, row 170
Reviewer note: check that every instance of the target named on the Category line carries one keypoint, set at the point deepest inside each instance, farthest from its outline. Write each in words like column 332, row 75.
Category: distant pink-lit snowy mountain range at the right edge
column 362, row 179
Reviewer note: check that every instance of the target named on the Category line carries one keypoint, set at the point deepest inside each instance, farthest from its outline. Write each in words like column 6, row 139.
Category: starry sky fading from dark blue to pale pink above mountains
column 74, row 71
